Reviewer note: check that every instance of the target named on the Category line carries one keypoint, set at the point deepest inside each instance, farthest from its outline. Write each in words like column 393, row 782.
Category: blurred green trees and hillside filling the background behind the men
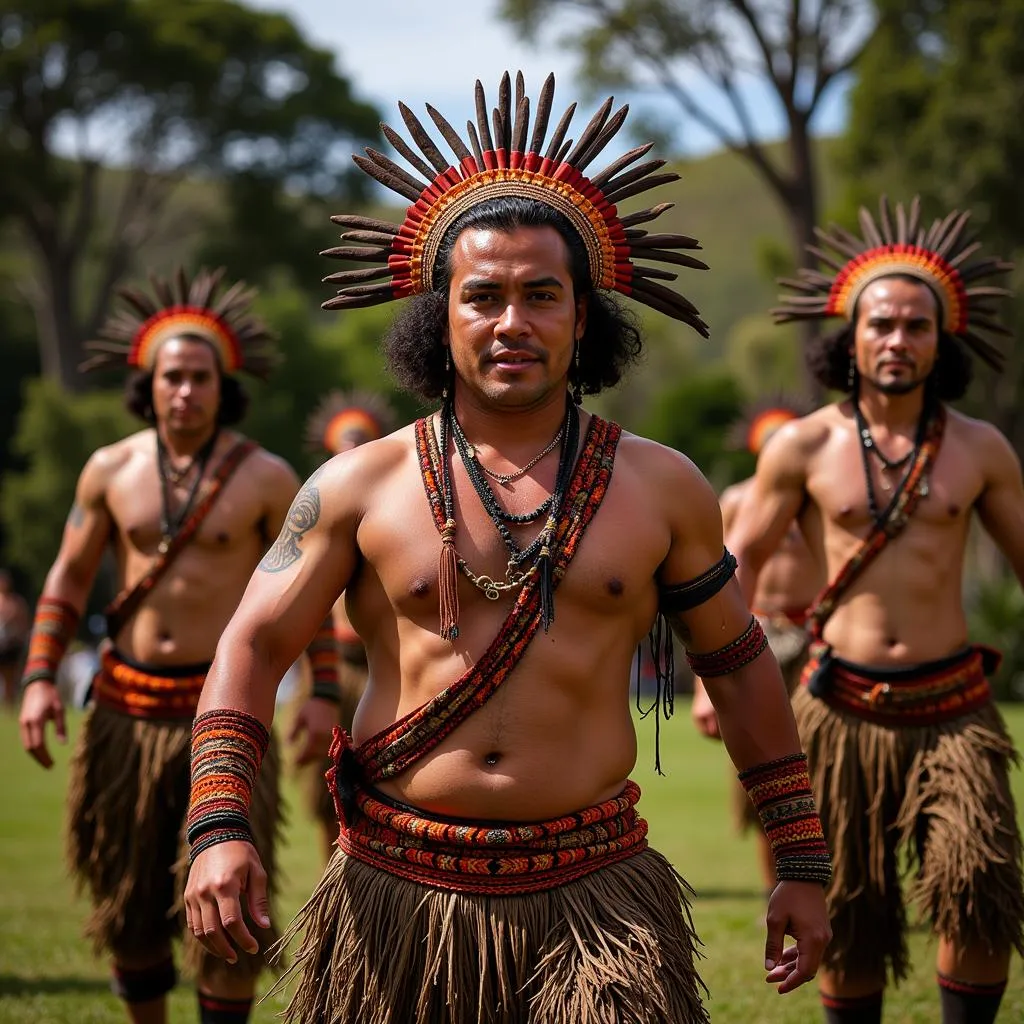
column 223, row 136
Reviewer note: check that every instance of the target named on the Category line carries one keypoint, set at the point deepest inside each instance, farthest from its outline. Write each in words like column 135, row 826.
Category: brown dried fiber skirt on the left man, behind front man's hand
column 127, row 803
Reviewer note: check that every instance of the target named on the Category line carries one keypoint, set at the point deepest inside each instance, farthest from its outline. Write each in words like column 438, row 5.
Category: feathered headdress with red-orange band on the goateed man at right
column 942, row 257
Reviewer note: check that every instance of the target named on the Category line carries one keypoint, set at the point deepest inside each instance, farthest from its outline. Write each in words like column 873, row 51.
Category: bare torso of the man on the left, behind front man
column 181, row 621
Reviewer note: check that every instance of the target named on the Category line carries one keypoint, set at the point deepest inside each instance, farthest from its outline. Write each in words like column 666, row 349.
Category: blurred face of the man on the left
column 186, row 387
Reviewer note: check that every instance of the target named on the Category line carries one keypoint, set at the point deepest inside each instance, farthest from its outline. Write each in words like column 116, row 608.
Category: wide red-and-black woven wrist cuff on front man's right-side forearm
column 782, row 793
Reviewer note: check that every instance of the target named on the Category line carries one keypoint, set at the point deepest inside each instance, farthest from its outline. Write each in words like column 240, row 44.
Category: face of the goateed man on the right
column 897, row 337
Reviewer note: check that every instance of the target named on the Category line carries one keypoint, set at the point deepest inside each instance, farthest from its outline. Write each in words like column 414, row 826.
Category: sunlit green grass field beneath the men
column 49, row 975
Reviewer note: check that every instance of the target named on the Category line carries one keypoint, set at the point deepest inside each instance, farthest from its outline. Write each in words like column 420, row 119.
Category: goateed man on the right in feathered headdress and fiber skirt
column 906, row 744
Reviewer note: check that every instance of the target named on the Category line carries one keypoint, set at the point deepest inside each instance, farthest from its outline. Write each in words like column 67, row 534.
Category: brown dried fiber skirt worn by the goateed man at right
column 941, row 796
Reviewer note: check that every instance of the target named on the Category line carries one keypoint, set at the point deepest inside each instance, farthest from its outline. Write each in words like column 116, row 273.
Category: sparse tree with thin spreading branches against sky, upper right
column 704, row 54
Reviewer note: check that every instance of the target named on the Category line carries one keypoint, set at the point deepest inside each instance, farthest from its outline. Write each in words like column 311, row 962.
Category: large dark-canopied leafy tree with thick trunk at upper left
column 107, row 105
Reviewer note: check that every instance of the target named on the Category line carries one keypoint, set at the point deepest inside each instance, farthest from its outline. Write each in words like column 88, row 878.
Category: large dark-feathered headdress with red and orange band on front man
column 502, row 157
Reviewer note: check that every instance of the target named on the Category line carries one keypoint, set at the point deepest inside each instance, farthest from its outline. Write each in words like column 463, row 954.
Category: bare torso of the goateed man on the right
column 907, row 608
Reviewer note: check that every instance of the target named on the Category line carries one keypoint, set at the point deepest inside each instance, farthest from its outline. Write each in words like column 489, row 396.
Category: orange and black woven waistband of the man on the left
column 164, row 692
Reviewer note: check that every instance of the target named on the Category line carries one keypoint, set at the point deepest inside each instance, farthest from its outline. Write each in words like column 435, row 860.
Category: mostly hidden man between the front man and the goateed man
column 787, row 585
